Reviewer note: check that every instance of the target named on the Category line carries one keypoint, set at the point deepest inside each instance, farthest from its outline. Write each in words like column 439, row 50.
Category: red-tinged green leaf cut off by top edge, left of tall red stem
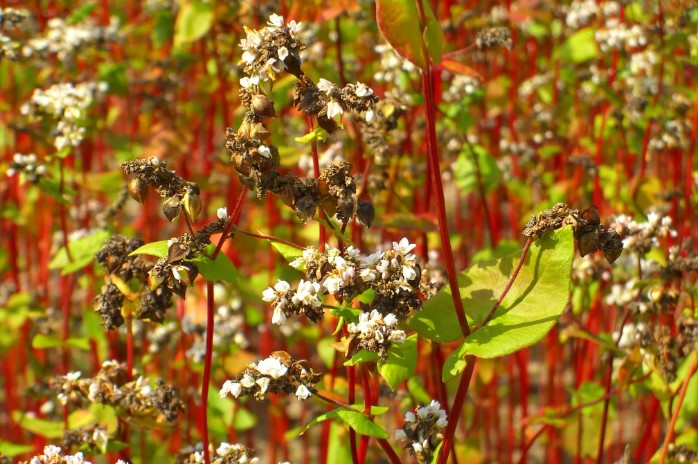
column 398, row 21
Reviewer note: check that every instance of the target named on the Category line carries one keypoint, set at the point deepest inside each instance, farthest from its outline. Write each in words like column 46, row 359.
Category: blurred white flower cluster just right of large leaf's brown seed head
column 641, row 237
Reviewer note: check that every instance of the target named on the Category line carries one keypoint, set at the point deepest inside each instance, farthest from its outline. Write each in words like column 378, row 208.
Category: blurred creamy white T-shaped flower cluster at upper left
column 65, row 104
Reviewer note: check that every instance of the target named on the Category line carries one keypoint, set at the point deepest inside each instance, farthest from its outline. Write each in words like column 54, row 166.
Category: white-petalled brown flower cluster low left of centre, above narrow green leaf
column 278, row 373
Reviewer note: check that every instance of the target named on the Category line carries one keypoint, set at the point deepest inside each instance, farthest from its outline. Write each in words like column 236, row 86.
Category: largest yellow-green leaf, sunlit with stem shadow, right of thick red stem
column 530, row 308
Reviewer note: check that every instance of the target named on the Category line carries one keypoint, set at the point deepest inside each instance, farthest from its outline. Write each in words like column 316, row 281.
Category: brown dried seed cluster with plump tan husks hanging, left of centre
column 179, row 194
